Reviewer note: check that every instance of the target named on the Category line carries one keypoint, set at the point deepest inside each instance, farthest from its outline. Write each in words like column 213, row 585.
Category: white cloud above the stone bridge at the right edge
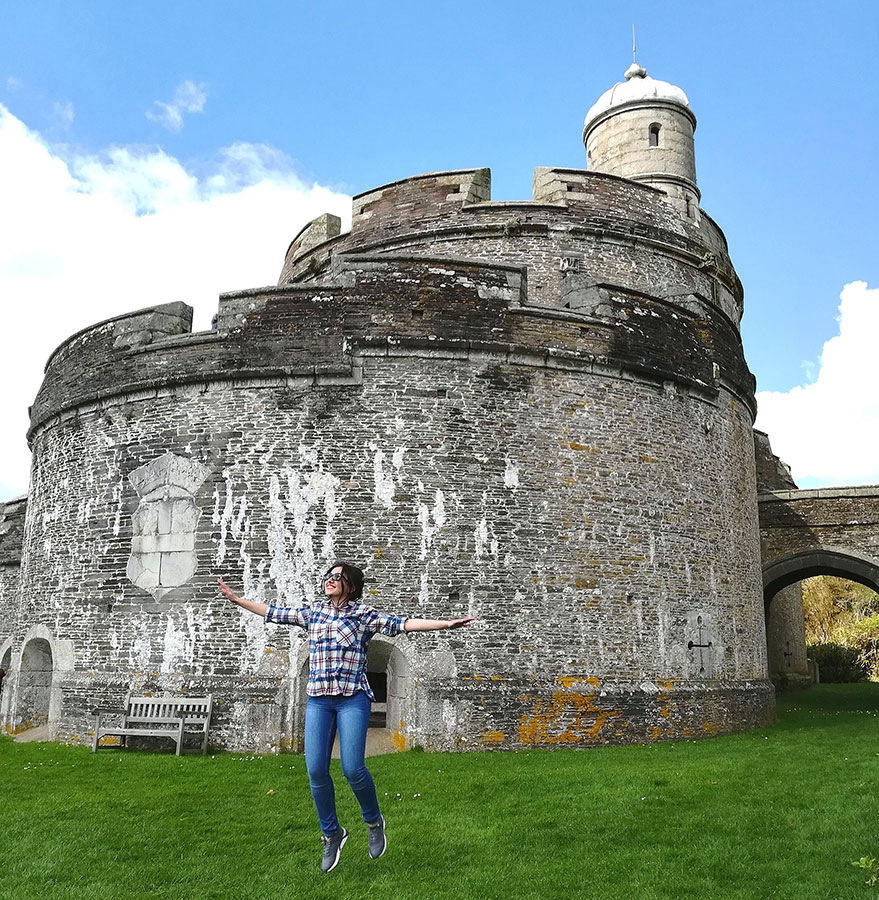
column 828, row 431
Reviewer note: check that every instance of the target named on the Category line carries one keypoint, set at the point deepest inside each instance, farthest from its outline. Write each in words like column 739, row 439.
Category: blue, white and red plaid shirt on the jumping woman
column 337, row 643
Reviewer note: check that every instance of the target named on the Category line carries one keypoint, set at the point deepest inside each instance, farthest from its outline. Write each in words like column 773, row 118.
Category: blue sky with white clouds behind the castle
column 221, row 127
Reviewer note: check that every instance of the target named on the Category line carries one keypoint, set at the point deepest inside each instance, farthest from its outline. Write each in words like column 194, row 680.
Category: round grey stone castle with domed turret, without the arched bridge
column 537, row 413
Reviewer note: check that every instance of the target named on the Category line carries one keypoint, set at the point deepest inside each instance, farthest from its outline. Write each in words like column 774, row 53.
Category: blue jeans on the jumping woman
column 323, row 715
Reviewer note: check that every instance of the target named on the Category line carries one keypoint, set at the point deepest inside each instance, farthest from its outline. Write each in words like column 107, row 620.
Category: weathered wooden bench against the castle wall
column 169, row 717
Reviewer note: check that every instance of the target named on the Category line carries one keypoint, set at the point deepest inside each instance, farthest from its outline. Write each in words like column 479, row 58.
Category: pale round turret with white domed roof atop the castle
column 642, row 129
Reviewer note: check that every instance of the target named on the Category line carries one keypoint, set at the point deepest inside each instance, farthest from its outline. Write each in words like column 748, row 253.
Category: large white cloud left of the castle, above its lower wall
column 84, row 238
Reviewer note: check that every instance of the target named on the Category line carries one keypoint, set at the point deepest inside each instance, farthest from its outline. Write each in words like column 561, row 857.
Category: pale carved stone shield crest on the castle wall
column 163, row 541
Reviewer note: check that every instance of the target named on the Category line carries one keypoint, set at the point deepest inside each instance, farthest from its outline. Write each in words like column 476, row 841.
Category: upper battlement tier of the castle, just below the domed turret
column 610, row 229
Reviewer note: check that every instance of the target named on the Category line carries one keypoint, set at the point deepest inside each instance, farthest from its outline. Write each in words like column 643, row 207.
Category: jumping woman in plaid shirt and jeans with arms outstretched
column 339, row 630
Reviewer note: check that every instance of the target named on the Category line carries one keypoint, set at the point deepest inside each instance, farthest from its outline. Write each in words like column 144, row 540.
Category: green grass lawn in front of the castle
column 778, row 812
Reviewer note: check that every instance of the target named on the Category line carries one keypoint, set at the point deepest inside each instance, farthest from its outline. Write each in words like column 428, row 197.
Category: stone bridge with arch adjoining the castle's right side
column 827, row 531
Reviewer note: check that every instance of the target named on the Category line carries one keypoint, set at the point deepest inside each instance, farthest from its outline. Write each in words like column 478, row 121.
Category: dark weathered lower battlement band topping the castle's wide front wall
column 377, row 304
